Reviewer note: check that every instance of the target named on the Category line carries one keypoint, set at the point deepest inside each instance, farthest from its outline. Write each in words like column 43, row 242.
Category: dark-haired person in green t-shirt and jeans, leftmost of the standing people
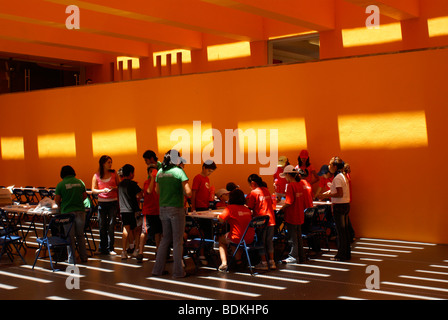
column 70, row 194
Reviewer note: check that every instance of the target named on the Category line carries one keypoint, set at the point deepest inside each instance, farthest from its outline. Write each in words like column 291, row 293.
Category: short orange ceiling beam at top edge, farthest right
column 396, row 9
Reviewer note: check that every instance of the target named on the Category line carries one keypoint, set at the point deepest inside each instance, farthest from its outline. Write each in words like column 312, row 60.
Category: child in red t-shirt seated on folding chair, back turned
column 238, row 216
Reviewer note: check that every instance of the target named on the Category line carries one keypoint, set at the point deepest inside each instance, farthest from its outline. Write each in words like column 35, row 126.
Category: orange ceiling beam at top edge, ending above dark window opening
column 312, row 14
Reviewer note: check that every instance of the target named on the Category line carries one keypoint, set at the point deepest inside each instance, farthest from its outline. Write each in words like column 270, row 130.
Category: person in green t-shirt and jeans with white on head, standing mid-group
column 171, row 185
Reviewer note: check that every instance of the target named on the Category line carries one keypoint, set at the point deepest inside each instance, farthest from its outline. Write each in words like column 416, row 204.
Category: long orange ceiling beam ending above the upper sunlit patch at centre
column 193, row 15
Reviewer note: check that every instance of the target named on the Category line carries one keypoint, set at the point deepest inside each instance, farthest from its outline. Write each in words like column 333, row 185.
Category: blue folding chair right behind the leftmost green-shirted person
column 60, row 227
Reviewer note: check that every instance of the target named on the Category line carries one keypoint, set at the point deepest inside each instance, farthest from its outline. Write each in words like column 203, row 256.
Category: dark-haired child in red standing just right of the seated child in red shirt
column 259, row 201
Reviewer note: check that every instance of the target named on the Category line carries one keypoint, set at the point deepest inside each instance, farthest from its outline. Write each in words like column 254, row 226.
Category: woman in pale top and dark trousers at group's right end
column 340, row 197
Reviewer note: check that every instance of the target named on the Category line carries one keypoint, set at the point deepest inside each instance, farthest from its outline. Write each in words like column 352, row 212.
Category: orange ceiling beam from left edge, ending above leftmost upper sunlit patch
column 71, row 39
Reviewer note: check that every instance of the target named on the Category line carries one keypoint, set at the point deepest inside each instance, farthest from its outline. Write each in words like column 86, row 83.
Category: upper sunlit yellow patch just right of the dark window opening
column 370, row 36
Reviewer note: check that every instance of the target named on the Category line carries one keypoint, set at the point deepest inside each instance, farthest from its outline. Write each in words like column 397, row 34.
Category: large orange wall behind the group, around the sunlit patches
column 397, row 192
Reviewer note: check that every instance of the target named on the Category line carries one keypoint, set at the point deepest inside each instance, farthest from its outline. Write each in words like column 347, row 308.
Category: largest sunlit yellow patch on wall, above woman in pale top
column 383, row 131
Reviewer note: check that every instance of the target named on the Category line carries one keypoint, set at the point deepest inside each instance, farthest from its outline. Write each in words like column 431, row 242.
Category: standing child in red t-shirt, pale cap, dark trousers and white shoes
column 298, row 198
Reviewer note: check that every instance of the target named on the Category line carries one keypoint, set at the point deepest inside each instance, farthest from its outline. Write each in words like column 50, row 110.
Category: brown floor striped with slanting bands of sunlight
column 404, row 271
